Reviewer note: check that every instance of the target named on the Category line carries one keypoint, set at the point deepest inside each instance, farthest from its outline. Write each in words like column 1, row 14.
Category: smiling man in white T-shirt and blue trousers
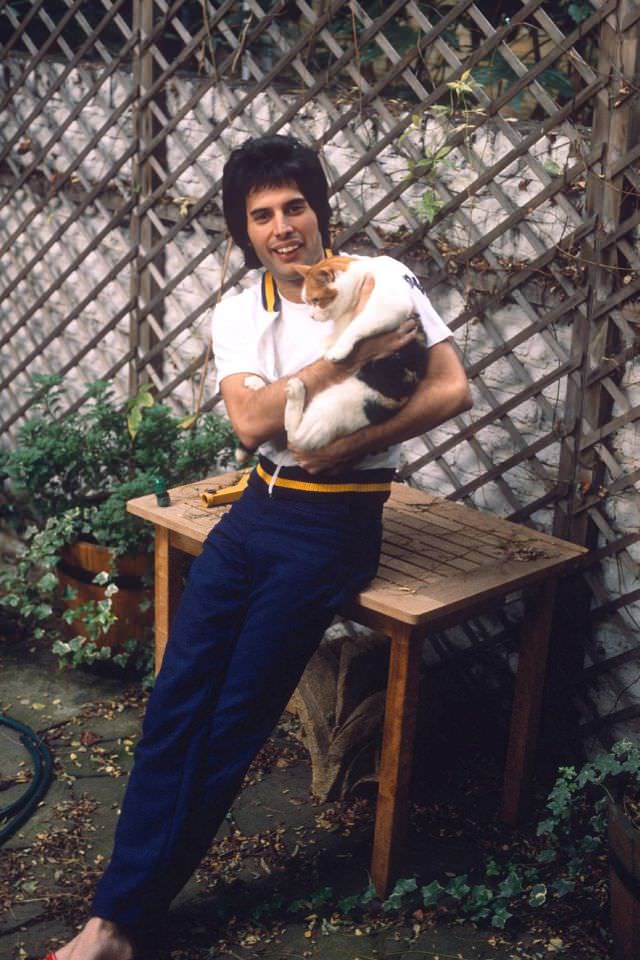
column 279, row 564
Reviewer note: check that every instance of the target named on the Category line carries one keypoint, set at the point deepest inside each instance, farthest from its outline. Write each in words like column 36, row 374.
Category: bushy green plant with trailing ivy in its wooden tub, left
column 68, row 479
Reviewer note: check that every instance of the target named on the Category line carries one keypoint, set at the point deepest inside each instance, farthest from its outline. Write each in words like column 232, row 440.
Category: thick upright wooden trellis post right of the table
column 616, row 126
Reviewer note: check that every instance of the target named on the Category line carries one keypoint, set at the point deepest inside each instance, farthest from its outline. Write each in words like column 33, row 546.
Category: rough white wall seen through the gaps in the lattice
column 516, row 186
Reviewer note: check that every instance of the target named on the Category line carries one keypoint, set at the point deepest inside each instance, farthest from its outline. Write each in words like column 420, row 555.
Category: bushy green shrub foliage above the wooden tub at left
column 104, row 454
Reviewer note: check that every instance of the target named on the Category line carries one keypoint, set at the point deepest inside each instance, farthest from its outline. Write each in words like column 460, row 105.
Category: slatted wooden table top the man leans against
column 438, row 557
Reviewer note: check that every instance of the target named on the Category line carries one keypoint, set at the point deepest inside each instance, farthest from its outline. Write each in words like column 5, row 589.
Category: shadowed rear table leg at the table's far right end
column 527, row 700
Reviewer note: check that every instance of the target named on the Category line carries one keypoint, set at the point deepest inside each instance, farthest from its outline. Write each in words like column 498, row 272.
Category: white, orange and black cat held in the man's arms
column 332, row 289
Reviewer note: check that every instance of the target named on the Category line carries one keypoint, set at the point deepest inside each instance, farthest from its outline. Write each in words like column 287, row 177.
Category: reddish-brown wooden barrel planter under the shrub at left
column 79, row 564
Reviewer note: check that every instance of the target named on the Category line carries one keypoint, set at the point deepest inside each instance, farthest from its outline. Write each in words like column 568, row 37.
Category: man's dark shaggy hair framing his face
column 271, row 162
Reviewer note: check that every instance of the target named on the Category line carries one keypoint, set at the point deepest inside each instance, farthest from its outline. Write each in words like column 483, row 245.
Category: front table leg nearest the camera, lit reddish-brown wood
column 397, row 755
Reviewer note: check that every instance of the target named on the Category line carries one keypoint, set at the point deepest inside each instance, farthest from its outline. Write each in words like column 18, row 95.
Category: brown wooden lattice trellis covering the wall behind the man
column 498, row 158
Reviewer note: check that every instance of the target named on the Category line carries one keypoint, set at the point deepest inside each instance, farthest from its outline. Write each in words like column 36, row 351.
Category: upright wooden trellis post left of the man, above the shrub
column 147, row 279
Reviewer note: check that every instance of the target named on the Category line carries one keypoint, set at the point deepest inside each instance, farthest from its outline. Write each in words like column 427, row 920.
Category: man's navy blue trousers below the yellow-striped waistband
column 270, row 578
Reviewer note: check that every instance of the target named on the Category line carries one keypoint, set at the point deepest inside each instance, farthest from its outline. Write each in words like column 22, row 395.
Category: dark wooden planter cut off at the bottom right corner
column 624, row 883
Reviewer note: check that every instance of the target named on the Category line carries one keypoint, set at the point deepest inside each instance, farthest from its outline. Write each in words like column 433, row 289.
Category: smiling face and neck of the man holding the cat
column 283, row 230
